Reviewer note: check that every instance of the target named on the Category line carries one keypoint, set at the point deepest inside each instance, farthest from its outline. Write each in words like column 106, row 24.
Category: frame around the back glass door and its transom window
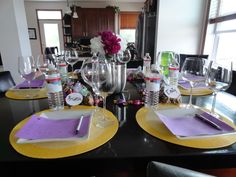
column 40, row 40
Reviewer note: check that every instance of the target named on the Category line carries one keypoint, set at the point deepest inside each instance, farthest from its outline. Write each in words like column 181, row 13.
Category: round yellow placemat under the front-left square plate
column 48, row 150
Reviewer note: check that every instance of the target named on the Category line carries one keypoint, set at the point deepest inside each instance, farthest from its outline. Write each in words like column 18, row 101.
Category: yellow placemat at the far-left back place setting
column 21, row 94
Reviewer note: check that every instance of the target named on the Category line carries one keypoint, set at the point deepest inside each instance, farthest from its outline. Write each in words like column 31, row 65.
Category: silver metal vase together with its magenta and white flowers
column 112, row 48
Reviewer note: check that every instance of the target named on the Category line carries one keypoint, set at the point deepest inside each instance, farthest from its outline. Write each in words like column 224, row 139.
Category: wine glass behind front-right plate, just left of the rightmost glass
column 193, row 71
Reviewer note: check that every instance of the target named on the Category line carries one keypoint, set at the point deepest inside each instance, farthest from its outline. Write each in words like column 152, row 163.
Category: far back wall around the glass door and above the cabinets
column 31, row 7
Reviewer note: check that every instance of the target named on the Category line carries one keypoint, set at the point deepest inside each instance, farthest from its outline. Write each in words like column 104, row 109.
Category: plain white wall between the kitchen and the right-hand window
column 180, row 25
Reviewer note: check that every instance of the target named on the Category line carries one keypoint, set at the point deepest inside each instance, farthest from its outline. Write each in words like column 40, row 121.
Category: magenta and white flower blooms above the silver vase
column 107, row 43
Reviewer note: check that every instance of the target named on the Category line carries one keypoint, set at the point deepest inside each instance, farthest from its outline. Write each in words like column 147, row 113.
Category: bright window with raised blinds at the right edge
column 221, row 31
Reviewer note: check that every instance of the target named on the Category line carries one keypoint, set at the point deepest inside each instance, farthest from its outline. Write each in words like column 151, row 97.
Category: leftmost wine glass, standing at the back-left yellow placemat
column 27, row 69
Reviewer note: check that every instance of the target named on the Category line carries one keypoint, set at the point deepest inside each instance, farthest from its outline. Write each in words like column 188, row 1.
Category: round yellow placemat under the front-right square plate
column 149, row 122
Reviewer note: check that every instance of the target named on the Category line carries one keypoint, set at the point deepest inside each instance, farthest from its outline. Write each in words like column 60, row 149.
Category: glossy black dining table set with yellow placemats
column 130, row 149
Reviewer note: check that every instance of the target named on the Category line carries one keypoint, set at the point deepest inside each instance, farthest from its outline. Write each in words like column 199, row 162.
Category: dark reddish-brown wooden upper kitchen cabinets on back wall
column 91, row 21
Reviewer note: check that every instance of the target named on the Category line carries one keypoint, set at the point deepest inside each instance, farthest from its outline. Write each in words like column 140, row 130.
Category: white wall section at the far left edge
column 14, row 35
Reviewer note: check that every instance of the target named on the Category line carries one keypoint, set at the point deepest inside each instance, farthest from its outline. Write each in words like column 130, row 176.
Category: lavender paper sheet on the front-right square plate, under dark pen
column 188, row 126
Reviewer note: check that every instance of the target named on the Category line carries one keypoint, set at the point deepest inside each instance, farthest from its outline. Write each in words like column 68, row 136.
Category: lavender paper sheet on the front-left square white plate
column 43, row 128
